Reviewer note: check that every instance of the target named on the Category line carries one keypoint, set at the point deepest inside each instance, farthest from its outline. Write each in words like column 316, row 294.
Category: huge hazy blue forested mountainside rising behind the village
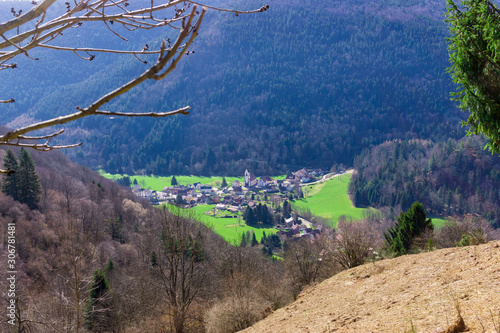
column 302, row 84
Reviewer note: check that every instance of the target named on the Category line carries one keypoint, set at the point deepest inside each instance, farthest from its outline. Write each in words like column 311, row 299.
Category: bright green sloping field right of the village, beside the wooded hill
column 330, row 200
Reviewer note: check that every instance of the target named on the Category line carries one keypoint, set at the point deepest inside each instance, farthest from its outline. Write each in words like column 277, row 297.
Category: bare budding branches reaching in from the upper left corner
column 39, row 31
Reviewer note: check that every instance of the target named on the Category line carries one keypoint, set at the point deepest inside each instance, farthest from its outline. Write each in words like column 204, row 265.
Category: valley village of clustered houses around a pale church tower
column 235, row 199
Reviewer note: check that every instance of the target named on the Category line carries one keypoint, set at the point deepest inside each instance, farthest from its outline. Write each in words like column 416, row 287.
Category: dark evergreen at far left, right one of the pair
column 29, row 189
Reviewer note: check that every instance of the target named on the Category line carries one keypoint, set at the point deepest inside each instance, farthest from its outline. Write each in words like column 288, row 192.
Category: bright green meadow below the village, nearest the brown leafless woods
column 229, row 228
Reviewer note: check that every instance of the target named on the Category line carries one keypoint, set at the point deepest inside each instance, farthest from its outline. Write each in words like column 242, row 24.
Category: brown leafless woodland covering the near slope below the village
column 93, row 257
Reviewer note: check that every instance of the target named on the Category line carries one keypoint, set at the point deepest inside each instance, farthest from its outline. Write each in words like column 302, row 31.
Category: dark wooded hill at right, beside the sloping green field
column 449, row 178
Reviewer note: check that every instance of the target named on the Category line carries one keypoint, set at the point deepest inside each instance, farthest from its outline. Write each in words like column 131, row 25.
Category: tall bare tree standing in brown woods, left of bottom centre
column 178, row 259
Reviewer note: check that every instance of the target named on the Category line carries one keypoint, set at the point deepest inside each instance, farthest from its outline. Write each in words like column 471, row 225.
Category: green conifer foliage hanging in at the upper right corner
column 475, row 64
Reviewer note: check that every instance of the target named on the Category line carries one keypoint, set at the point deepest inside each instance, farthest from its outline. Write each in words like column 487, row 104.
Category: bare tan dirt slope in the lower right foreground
column 414, row 293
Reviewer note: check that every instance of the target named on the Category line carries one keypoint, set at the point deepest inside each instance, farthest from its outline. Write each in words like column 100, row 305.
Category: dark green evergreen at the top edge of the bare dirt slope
column 409, row 225
